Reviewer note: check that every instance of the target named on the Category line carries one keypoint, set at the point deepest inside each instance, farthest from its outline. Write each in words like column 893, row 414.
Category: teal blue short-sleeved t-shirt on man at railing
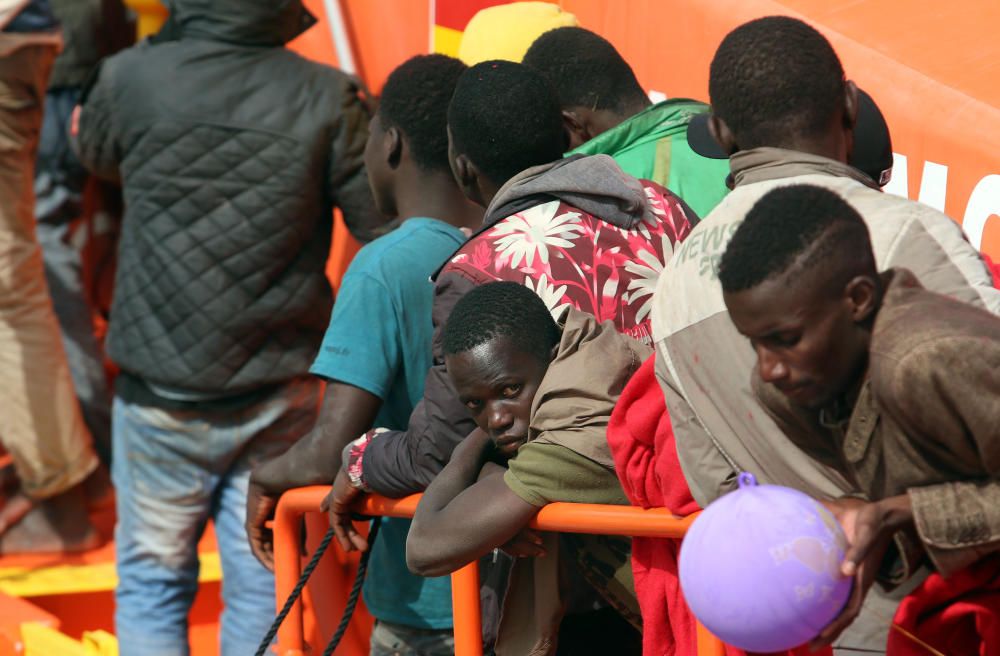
column 379, row 340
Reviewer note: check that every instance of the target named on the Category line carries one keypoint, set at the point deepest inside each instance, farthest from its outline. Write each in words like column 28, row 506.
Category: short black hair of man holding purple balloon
column 798, row 228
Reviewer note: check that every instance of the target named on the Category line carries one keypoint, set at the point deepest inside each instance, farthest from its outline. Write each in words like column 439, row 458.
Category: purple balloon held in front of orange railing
column 760, row 567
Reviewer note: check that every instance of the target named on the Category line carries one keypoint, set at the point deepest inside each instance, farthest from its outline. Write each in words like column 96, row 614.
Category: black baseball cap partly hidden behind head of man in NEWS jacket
column 872, row 143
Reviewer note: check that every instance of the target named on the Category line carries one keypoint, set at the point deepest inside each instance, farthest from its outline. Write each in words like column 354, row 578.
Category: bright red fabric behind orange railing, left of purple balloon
column 642, row 442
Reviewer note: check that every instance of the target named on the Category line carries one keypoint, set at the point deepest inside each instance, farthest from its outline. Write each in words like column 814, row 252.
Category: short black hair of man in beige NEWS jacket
column 773, row 78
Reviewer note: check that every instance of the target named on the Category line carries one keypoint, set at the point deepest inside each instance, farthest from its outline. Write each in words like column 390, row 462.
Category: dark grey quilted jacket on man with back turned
column 232, row 152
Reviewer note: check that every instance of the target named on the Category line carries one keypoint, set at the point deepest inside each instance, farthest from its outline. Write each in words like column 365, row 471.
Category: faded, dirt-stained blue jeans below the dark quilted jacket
column 173, row 470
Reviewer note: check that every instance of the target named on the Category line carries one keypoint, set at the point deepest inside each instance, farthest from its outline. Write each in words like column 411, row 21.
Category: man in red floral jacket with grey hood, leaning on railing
column 578, row 231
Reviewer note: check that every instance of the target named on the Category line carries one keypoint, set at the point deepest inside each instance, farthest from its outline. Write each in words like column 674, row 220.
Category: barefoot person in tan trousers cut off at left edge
column 40, row 421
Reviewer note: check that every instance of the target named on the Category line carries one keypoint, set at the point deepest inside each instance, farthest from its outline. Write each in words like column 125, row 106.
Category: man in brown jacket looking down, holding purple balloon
column 894, row 387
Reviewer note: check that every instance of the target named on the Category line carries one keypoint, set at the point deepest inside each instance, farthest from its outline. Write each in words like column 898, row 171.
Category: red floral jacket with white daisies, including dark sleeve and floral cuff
column 564, row 255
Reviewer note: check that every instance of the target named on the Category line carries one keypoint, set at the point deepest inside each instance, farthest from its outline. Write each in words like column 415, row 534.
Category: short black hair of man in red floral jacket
column 505, row 118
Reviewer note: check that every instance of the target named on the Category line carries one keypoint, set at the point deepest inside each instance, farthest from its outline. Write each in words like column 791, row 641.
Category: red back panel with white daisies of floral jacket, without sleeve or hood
column 569, row 257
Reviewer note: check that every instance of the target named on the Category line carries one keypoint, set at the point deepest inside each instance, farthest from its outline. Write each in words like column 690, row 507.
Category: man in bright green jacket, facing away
column 607, row 112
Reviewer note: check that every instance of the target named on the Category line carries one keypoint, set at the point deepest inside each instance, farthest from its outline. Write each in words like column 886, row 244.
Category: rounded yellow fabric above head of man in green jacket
column 507, row 31
